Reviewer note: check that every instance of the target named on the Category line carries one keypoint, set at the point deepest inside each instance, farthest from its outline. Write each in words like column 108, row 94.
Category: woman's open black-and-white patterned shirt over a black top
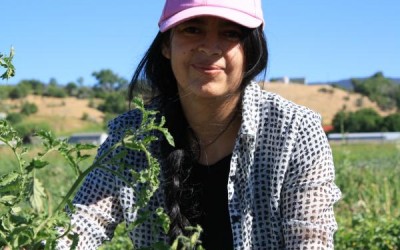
column 281, row 187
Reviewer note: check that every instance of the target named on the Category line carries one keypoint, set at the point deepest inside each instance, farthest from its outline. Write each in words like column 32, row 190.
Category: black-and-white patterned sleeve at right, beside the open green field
column 309, row 192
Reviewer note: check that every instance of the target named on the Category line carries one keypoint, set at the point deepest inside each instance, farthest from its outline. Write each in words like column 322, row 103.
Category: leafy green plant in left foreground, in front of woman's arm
column 29, row 216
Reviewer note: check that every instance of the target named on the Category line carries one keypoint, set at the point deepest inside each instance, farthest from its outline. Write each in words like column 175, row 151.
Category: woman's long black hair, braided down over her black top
column 155, row 73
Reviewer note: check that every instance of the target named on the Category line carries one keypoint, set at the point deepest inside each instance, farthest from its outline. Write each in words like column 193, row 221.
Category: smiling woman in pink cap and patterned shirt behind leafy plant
column 253, row 169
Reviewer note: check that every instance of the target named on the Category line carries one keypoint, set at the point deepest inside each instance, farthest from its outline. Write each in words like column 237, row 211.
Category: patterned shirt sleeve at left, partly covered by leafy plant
column 97, row 210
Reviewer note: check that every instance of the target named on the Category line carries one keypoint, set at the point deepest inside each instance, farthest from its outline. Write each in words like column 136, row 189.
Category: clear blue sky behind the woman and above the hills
column 320, row 40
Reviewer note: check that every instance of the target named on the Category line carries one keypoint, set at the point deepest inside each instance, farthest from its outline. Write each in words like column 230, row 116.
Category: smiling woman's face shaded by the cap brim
column 207, row 57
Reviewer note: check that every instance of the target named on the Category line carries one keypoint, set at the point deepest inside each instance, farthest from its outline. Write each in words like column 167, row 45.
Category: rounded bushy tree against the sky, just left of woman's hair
column 108, row 81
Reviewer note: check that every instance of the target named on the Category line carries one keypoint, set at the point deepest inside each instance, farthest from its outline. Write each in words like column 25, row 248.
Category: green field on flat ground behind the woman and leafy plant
column 368, row 175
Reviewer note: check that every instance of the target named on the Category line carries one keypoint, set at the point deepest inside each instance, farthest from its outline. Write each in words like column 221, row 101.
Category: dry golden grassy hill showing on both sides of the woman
column 64, row 115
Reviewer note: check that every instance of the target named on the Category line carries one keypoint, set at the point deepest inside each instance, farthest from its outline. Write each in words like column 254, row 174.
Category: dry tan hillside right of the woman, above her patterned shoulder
column 323, row 99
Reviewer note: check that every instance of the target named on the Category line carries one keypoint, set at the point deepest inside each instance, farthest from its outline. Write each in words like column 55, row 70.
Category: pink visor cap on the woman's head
column 247, row 13
